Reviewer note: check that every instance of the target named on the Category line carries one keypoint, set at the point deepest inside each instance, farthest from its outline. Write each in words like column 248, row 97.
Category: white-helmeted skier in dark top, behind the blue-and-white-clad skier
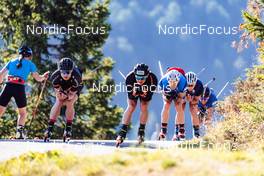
column 193, row 91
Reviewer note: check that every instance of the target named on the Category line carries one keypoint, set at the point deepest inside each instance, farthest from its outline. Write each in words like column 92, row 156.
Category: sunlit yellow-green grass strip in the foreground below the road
column 138, row 162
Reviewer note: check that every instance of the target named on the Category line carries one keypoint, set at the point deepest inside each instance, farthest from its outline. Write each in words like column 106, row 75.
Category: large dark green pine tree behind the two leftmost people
column 95, row 117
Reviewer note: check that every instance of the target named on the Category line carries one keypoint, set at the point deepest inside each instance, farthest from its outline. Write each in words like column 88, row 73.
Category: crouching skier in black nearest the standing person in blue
column 67, row 83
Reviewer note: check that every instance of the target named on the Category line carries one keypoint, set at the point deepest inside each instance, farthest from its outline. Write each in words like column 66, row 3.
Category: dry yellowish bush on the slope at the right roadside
column 243, row 112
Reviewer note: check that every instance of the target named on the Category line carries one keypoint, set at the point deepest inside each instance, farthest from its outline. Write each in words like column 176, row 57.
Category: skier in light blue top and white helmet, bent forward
column 172, row 85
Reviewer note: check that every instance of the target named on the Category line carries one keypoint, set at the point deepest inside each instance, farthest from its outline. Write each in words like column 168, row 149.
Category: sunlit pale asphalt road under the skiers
column 14, row 148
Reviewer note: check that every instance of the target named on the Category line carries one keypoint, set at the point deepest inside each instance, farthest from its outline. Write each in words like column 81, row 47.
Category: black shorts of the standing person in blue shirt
column 13, row 90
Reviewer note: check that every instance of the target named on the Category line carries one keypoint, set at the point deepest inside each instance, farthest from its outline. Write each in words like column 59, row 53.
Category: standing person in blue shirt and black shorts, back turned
column 17, row 71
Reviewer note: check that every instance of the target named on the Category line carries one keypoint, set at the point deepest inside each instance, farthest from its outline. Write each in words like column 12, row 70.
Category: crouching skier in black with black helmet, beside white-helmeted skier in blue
column 141, row 84
